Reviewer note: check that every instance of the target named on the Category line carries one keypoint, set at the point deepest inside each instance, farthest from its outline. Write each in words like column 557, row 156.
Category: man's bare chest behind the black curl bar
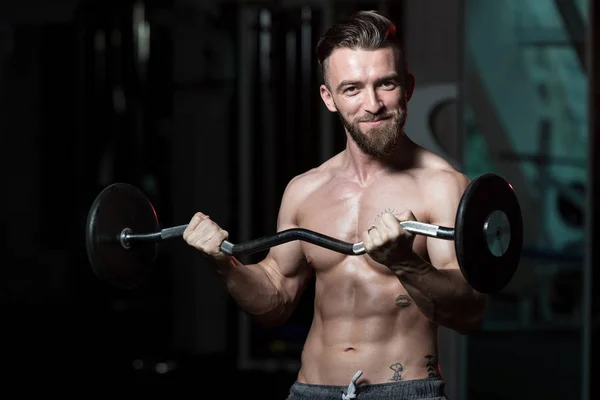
column 346, row 211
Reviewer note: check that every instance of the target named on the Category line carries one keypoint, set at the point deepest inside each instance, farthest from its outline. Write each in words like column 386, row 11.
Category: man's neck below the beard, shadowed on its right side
column 367, row 167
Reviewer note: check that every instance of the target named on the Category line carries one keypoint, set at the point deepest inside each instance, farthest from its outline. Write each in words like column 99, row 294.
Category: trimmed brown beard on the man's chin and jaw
column 381, row 140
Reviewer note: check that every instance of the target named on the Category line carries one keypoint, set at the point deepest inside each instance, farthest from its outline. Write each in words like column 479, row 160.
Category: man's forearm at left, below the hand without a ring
column 254, row 290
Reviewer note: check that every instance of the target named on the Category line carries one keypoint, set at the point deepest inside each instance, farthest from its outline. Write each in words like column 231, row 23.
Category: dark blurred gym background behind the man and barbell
column 213, row 106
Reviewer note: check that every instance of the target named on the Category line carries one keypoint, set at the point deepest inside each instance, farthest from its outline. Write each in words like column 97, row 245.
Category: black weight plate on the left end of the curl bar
column 117, row 207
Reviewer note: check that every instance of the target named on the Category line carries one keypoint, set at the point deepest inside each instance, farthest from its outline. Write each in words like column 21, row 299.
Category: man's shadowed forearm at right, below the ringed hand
column 443, row 295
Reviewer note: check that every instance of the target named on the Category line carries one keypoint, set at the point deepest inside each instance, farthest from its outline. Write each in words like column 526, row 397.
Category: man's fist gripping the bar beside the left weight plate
column 205, row 235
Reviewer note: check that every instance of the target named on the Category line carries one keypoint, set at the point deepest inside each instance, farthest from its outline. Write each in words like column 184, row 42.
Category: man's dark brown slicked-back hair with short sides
column 366, row 30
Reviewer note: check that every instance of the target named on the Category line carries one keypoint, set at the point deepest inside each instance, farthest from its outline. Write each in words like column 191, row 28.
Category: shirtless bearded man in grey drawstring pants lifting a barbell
column 374, row 332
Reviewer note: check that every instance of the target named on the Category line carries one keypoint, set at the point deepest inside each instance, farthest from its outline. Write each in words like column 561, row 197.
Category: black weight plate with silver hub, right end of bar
column 486, row 272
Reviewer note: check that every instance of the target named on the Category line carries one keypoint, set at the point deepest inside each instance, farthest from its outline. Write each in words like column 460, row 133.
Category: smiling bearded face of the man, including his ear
column 368, row 90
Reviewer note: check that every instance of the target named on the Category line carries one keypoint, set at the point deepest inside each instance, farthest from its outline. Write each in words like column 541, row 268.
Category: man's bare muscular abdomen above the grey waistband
column 357, row 325
